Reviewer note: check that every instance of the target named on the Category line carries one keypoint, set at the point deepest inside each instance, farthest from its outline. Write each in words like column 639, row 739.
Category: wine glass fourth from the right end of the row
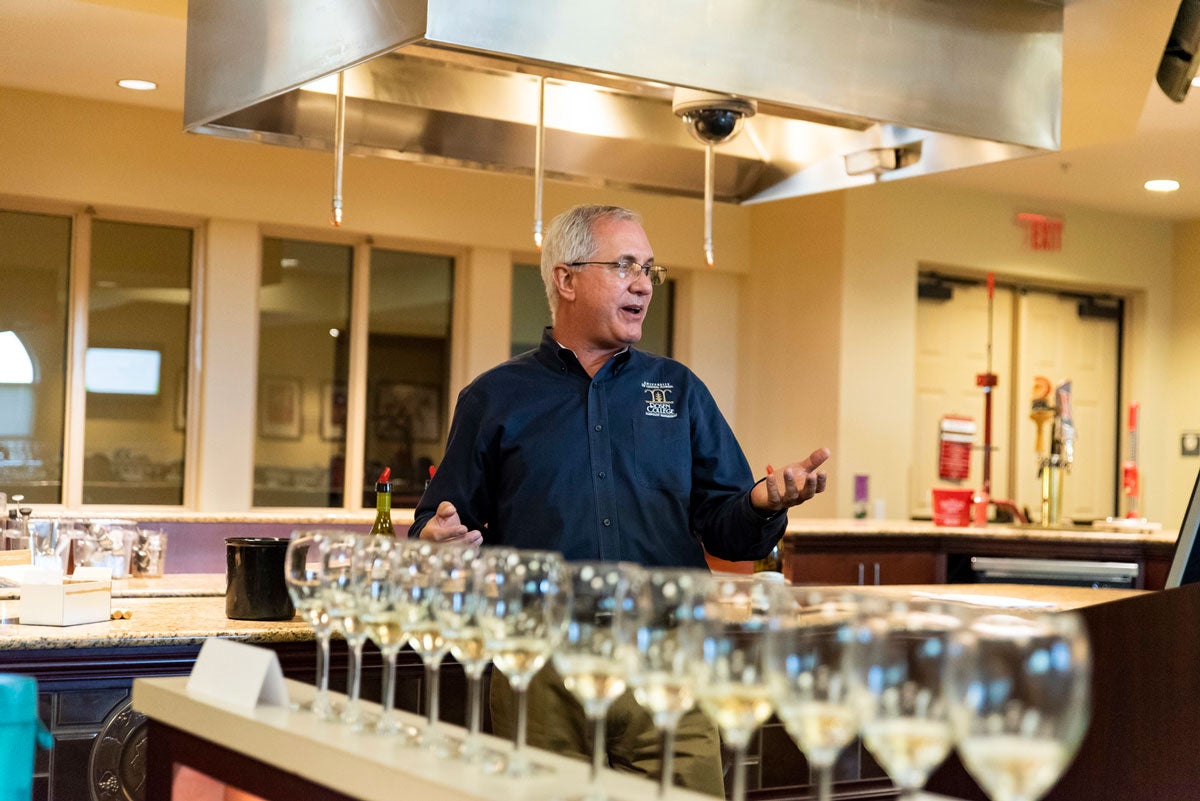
column 731, row 686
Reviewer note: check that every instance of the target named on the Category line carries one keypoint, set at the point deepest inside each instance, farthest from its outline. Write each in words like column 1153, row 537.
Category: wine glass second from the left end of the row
column 338, row 565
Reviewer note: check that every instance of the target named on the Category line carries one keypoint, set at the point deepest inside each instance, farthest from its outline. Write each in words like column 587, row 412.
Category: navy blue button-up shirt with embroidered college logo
column 637, row 463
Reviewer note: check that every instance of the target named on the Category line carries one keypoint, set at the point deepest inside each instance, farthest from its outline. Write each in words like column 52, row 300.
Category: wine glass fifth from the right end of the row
column 670, row 604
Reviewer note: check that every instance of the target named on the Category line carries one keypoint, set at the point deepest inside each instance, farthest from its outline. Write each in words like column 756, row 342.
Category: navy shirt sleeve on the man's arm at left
column 463, row 477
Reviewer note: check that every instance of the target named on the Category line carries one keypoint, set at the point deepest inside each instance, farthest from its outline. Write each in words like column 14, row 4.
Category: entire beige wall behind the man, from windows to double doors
column 805, row 330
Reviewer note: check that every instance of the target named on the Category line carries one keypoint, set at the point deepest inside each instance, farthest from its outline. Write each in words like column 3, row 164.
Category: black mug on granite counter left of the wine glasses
column 255, row 585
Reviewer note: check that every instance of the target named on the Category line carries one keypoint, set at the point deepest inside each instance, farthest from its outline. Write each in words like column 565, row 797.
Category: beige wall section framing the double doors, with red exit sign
column 891, row 230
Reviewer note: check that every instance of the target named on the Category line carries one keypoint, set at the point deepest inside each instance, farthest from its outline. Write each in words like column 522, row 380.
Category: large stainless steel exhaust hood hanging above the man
column 904, row 87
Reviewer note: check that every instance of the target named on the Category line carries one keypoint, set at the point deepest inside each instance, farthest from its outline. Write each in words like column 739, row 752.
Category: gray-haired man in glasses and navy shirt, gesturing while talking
column 601, row 451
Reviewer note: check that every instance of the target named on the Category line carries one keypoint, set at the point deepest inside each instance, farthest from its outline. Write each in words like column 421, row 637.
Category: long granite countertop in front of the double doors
column 844, row 527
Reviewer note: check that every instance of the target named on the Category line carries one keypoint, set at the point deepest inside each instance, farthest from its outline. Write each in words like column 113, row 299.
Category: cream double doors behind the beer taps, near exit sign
column 1034, row 334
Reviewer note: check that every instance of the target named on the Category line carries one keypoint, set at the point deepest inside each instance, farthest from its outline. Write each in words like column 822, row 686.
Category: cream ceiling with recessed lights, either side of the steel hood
column 83, row 47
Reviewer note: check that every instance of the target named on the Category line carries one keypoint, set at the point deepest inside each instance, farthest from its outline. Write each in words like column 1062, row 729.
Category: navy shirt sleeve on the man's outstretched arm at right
column 722, row 514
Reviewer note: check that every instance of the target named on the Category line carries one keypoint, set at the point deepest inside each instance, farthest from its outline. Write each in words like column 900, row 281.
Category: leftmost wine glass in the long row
column 307, row 585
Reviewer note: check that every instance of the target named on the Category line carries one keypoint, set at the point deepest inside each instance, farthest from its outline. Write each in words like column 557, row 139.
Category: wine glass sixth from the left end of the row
column 523, row 617
